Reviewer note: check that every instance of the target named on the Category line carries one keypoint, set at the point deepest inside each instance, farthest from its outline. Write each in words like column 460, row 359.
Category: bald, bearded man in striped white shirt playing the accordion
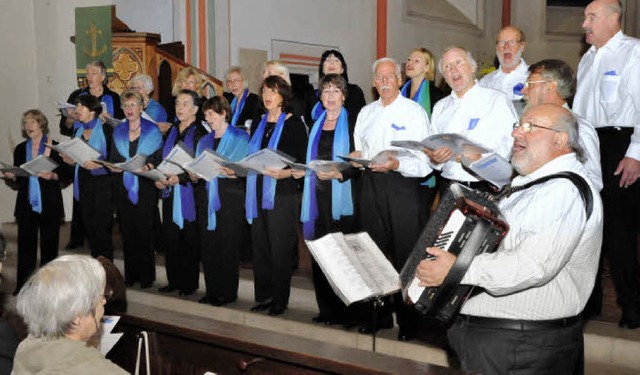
column 540, row 278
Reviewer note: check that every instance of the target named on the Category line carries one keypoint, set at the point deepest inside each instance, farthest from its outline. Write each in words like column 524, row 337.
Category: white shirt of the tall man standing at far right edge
column 608, row 92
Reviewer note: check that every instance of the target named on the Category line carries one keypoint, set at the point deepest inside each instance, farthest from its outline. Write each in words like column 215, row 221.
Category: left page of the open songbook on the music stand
column 339, row 263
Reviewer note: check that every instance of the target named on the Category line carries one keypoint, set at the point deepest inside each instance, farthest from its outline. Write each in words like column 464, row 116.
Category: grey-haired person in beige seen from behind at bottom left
column 62, row 305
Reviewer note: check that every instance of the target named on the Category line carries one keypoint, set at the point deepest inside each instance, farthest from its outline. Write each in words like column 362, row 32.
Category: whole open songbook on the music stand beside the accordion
column 354, row 266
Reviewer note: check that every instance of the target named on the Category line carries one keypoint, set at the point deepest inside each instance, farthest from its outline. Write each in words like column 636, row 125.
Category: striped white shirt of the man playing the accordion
column 546, row 265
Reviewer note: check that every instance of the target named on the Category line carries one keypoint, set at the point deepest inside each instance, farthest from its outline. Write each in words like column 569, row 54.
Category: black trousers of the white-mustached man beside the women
column 393, row 211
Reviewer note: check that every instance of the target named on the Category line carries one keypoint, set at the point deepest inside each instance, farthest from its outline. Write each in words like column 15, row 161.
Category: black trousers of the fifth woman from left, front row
column 220, row 248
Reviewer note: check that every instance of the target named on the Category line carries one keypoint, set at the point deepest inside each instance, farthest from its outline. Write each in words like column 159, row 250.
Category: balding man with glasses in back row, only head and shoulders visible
column 510, row 76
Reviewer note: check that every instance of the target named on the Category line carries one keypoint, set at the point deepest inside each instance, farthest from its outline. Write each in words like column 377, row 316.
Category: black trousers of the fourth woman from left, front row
column 181, row 250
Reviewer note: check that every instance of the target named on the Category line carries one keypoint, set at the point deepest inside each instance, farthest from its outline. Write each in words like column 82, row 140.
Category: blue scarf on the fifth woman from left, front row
column 233, row 145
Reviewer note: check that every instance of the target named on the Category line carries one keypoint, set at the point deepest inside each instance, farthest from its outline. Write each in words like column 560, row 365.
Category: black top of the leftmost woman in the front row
column 50, row 190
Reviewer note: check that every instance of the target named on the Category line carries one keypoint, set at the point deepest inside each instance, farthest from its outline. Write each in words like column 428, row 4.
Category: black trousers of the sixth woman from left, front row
column 274, row 234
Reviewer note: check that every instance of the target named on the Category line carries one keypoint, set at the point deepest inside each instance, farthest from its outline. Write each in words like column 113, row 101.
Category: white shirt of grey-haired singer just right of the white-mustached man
column 485, row 116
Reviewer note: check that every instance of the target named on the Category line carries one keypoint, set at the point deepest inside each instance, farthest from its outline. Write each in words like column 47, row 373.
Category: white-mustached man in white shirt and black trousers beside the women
column 391, row 202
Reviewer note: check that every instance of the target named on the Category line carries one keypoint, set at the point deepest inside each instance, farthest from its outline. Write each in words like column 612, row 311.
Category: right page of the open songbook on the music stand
column 380, row 271
